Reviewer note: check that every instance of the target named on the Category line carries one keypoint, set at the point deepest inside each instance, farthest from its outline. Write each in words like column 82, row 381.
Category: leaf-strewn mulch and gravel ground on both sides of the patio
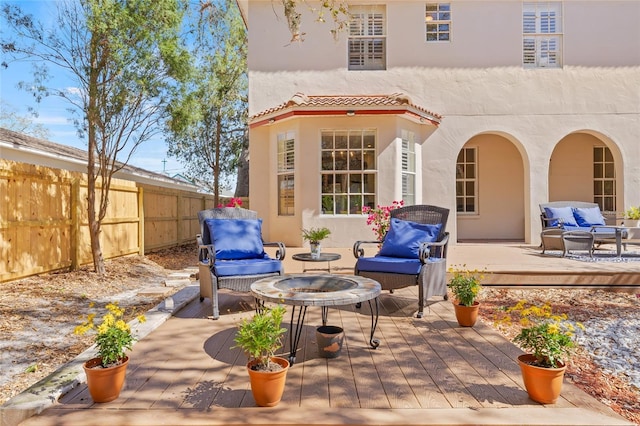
column 39, row 314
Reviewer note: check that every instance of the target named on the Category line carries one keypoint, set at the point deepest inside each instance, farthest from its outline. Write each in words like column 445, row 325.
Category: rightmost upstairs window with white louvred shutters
column 542, row 34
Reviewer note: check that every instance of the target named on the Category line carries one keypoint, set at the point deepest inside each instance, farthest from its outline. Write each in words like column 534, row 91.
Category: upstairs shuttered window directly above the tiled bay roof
column 367, row 38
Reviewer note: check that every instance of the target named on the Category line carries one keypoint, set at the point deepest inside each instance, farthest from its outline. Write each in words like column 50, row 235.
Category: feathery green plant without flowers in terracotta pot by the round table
column 260, row 337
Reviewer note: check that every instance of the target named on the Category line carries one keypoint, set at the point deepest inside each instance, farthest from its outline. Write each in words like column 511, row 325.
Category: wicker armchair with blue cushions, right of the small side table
column 408, row 258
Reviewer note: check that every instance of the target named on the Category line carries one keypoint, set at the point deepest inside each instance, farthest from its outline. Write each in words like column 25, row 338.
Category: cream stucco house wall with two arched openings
column 478, row 84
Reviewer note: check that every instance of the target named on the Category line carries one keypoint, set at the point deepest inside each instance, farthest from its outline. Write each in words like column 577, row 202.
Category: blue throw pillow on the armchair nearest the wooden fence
column 236, row 238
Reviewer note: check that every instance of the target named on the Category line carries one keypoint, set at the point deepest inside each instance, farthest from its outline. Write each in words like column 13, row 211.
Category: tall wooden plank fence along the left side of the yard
column 44, row 225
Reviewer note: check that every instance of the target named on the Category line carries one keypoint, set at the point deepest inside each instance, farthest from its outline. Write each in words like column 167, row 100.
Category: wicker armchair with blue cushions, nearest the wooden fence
column 230, row 252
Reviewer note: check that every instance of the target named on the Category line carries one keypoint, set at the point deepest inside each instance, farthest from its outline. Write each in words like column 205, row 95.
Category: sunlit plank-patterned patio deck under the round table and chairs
column 426, row 371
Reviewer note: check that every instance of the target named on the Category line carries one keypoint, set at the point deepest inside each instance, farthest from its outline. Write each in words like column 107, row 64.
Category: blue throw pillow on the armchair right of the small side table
column 404, row 238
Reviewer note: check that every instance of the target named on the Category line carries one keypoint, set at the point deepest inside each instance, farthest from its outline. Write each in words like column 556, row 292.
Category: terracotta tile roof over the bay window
column 313, row 105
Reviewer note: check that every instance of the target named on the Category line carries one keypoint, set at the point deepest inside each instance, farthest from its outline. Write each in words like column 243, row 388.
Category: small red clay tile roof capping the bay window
column 365, row 103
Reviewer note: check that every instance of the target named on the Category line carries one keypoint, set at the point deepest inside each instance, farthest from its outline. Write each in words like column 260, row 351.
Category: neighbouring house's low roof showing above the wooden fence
column 42, row 152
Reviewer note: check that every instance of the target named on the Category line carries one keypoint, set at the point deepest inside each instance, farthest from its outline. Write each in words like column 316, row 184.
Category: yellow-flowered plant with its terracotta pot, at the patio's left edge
column 106, row 373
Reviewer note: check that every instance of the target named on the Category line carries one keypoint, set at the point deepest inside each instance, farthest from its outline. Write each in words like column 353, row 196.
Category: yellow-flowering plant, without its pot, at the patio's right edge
column 548, row 336
